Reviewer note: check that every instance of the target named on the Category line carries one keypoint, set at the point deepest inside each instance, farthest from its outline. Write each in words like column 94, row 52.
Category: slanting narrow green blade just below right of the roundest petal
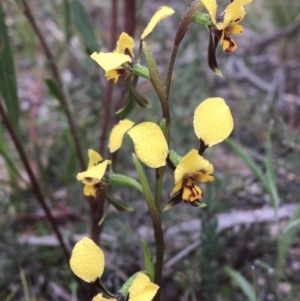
column 251, row 164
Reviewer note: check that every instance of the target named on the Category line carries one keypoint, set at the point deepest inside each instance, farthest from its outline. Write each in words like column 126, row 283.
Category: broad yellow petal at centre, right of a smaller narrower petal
column 150, row 144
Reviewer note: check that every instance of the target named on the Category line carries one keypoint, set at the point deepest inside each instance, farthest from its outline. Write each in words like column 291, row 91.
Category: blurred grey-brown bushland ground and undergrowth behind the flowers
column 246, row 240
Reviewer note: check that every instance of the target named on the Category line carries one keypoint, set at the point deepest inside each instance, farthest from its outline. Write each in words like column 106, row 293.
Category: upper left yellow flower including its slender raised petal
column 112, row 62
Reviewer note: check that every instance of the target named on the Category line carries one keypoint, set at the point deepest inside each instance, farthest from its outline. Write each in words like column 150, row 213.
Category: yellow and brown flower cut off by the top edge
column 226, row 23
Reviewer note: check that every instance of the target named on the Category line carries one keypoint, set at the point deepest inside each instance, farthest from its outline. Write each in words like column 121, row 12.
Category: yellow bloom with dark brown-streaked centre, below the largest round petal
column 192, row 168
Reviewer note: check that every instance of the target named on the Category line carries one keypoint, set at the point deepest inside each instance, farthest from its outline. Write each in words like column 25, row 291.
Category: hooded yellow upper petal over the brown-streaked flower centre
column 190, row 164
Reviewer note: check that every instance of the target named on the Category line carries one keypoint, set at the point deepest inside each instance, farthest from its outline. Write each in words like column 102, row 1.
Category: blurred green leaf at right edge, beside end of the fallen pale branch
column 286, row 238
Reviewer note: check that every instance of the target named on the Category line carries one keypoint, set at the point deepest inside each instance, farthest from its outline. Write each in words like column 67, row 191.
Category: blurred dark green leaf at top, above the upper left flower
column 84, row 26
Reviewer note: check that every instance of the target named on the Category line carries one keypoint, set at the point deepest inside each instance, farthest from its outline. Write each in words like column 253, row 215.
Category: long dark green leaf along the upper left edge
column 8, row 85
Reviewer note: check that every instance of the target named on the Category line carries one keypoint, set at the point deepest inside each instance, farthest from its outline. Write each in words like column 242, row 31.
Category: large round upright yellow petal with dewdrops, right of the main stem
column 213, row 121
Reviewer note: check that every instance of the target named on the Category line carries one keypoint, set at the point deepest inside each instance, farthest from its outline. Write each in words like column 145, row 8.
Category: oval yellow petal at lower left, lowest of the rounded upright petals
column 87, row 260
